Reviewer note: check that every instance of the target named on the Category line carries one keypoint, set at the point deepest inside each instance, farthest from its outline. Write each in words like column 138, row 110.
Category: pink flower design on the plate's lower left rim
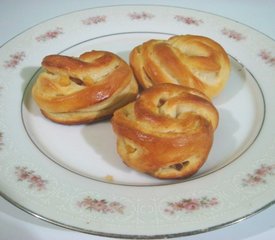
column 35, row 181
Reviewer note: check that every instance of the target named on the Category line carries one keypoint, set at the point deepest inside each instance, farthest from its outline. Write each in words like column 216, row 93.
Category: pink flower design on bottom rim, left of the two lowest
column 102, row 205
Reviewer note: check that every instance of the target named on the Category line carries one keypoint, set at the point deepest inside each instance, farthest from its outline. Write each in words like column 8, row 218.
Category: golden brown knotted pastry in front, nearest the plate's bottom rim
column 167, row 132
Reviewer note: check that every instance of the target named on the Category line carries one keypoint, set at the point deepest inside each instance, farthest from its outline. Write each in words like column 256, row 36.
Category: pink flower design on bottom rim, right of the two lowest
column 190, row 205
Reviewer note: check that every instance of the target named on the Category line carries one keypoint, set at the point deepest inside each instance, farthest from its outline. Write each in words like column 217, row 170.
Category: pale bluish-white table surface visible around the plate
column 16, row 16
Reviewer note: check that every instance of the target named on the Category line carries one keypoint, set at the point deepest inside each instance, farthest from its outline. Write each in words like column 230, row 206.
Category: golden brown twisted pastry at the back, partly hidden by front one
column 189, row 60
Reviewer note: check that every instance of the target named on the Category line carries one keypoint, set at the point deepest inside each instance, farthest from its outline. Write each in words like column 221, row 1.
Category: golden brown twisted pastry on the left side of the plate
column 85, row 89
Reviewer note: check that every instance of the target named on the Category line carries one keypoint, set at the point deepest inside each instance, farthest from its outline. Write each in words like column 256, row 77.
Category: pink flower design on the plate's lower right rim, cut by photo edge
column 259, row 175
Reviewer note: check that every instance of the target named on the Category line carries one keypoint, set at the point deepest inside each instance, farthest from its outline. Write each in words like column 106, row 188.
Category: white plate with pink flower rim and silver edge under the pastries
column 72, row 176
